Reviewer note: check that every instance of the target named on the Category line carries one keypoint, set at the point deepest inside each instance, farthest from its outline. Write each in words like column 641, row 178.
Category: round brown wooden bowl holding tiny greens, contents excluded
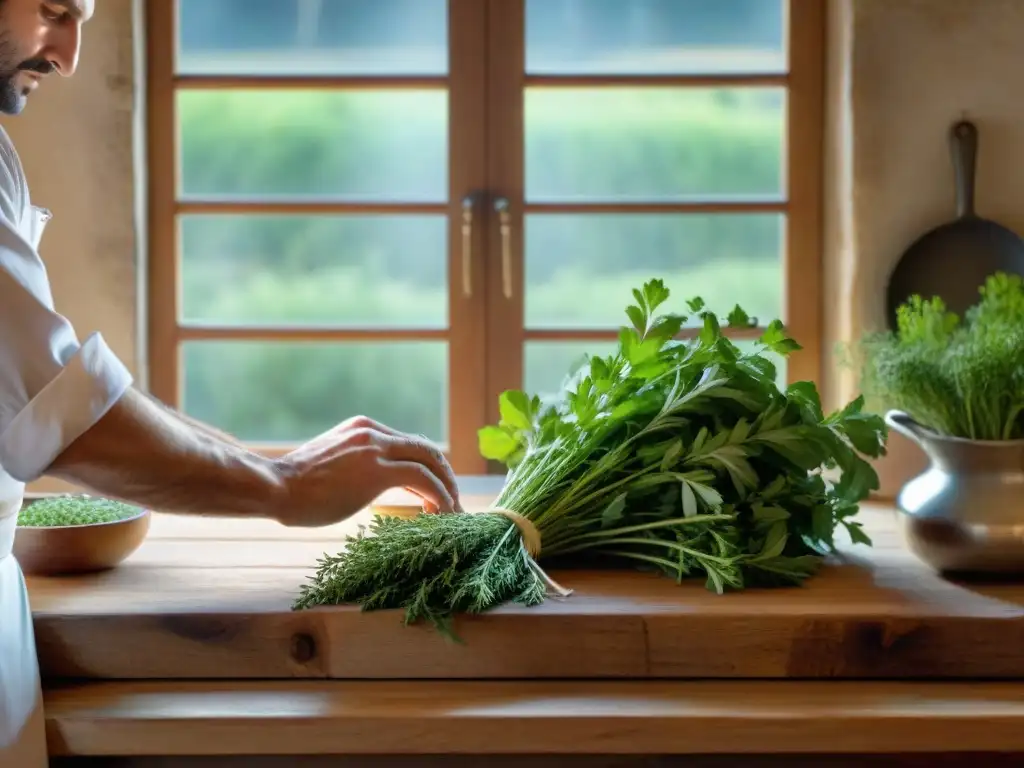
column 60, row 550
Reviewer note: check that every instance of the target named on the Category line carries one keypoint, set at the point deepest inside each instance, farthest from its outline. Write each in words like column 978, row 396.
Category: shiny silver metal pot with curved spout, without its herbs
column 966, row 513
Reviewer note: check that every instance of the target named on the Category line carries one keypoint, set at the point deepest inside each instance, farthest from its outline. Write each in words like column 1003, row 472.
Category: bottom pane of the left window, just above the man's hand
column 288, row 392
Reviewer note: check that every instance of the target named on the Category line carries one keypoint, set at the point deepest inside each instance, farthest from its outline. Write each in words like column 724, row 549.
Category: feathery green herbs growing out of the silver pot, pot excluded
column 962, row 378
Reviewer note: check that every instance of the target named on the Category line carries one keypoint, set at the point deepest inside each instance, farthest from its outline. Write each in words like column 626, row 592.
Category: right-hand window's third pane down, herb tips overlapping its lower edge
column 581, row 269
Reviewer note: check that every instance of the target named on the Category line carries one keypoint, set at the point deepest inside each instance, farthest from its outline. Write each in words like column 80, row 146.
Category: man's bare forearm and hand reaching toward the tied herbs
column 145, row 454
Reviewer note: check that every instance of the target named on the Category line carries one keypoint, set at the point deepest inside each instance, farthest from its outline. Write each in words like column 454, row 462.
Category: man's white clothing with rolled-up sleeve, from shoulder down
column 53, row 390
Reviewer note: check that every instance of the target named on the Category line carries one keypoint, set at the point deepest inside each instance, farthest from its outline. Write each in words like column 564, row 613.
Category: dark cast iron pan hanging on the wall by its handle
column 954, row 261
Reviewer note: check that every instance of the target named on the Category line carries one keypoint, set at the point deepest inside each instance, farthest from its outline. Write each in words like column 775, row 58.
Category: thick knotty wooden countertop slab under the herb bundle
column 211, row 599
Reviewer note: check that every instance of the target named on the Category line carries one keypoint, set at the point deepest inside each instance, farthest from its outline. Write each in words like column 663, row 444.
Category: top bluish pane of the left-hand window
column 313, row 37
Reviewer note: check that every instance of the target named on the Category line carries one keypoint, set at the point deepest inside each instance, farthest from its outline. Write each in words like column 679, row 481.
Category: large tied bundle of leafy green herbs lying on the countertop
column 684, row 457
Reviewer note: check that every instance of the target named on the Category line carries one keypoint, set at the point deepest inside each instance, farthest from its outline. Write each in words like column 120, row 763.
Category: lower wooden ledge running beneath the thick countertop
column 595, row 718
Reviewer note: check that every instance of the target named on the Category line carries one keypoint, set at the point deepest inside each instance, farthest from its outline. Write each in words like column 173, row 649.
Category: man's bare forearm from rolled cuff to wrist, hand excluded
column 143, row 454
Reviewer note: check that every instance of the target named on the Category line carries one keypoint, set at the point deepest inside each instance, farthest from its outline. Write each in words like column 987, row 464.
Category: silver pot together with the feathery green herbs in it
column 956, row 388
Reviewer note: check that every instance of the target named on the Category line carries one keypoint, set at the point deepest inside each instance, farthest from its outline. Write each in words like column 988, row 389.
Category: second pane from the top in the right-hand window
column 620, row 145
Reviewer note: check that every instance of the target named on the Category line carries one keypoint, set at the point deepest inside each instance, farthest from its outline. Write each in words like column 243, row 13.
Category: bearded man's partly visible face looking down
column 37, row 37
